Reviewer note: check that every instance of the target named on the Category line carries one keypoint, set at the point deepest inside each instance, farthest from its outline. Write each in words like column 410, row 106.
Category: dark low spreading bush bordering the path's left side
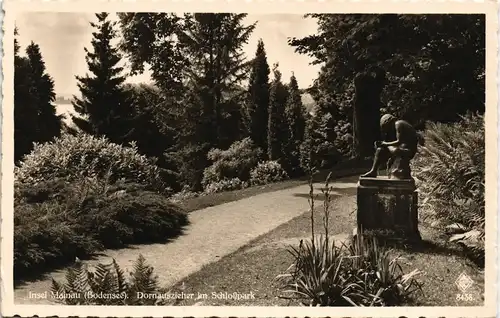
column 57, row 220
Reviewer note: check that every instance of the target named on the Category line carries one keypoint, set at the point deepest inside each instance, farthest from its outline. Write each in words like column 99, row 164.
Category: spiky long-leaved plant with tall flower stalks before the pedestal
column 361, row 274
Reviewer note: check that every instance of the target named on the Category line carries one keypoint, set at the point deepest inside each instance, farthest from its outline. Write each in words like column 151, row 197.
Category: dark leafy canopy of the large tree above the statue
column 420, row 54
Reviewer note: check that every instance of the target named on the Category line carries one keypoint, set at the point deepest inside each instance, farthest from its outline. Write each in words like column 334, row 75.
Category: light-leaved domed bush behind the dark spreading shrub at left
column 76, row 157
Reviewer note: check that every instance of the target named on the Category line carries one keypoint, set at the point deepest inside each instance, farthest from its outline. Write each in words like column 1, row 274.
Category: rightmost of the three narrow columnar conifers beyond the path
column 295, row 115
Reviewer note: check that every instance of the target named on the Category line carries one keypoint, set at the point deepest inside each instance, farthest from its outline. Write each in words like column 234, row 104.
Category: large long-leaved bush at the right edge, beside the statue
column 450, row 170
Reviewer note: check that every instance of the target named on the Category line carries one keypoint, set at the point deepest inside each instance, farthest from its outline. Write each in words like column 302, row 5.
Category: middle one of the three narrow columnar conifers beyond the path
column 277, row 131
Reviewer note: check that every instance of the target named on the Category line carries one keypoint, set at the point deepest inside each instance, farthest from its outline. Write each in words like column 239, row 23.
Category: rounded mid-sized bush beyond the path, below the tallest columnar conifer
column 235, row 162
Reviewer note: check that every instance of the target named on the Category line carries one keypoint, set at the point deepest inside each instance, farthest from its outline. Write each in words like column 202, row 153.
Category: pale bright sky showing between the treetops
column 62, row 37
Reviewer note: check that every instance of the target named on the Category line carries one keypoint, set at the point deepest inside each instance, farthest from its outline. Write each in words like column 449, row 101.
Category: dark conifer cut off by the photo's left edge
column 35, row 118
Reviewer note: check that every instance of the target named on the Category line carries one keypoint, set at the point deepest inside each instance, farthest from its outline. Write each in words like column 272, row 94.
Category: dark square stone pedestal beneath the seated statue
column 388, row 204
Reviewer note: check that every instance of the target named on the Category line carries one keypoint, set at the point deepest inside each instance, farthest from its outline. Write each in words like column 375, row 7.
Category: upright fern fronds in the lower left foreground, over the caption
column 107, row 284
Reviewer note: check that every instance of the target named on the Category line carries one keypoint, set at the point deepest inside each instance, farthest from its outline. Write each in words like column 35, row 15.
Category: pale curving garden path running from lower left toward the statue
column 214, row 232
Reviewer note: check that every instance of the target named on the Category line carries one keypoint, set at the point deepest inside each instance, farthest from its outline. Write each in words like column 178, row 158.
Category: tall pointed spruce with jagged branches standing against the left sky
column 104, row 105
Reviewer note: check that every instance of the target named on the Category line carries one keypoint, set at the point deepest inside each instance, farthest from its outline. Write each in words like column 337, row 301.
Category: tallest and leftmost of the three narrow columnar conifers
column 257, row 105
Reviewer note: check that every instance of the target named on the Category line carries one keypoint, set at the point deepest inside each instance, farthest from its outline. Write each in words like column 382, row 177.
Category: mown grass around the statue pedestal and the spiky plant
column 253, row 268
